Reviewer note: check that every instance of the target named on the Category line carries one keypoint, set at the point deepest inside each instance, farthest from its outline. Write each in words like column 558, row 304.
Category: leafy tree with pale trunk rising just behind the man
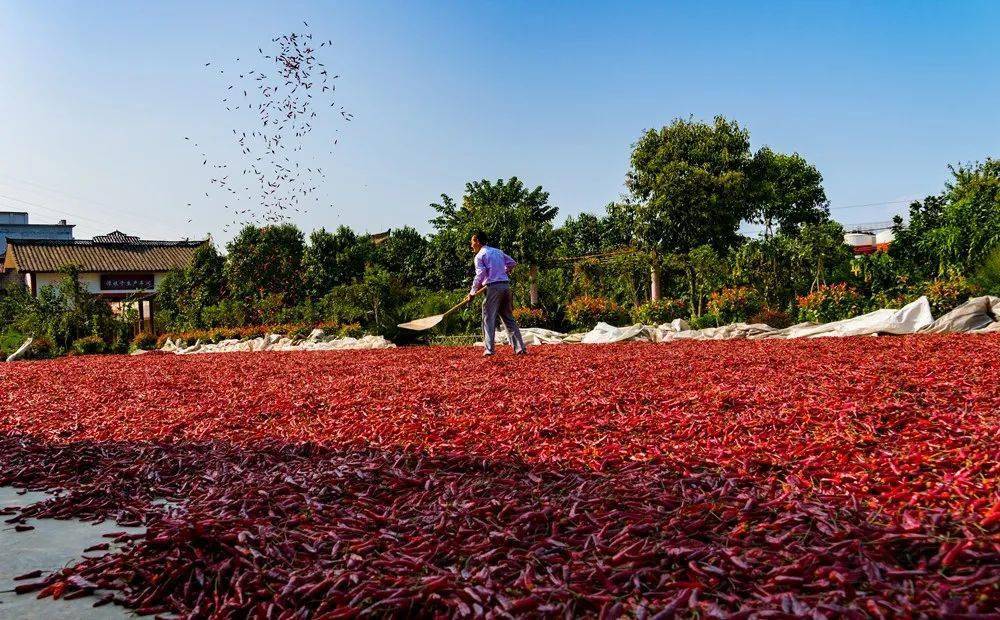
column 515, row 218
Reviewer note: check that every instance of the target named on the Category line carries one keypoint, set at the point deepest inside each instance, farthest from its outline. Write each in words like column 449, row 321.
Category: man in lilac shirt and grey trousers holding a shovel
column 492, row 270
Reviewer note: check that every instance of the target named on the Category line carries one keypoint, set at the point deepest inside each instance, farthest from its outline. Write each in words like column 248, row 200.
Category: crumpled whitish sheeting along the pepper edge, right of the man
column 978, row 315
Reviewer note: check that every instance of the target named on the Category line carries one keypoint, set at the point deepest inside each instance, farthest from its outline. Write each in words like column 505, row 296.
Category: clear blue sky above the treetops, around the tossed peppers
column 97, row 97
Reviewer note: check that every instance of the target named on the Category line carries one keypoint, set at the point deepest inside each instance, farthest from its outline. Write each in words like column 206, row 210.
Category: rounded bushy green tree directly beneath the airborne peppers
column 266, row 261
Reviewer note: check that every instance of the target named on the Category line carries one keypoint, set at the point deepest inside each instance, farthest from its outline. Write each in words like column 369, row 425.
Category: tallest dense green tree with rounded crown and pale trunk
column 688, row 185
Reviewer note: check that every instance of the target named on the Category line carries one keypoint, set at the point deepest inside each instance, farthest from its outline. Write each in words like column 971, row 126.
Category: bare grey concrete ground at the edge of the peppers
column 50, row 546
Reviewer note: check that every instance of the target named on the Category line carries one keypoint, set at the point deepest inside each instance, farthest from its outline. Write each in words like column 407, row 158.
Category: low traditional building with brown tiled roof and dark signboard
column 119, row 268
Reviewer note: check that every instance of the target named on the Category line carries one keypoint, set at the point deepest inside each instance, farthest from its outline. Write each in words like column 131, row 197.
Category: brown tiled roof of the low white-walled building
column 115, row 252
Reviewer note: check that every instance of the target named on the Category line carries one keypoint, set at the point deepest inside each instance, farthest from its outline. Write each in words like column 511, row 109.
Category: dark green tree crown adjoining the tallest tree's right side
column 788, row 192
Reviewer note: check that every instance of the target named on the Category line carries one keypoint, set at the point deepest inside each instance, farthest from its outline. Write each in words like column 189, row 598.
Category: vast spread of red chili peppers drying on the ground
column 823, row 477
